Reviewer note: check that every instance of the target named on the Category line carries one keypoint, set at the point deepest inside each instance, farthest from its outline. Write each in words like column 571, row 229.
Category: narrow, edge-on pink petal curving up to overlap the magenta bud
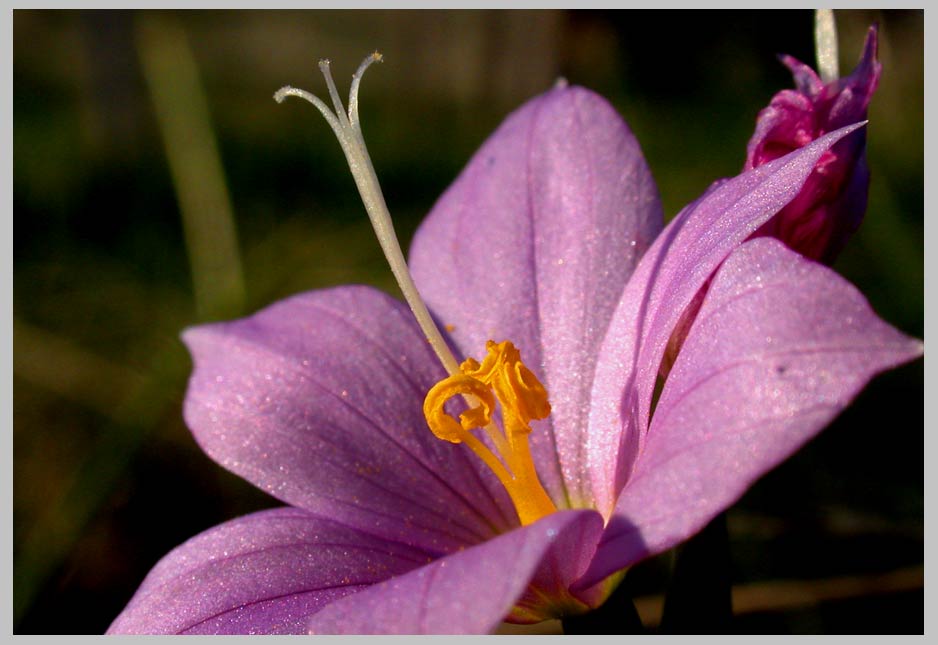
column 667, row 279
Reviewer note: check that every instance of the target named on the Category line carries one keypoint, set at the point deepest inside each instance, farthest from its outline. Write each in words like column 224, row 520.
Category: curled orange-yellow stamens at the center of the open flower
column 501, row 376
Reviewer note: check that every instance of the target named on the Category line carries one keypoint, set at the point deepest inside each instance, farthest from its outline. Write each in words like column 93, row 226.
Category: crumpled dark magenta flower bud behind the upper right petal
column 830, row 207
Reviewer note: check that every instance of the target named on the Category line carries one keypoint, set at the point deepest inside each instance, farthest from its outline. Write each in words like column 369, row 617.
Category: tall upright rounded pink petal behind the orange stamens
column 534, row 243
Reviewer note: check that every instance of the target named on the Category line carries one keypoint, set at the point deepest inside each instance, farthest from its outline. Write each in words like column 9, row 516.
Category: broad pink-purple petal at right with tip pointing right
column 781, row 345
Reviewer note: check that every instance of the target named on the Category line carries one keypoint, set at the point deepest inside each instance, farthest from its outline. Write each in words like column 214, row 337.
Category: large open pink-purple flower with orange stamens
column 552, row 239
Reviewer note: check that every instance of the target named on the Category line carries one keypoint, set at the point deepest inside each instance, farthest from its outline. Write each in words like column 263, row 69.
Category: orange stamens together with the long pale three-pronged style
column 501, row 375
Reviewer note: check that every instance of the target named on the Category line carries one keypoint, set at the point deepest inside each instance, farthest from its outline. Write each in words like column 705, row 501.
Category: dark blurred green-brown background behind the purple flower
column 158, row 185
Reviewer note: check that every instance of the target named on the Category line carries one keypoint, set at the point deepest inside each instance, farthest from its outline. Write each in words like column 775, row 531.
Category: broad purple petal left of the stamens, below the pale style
column 318, row 401
